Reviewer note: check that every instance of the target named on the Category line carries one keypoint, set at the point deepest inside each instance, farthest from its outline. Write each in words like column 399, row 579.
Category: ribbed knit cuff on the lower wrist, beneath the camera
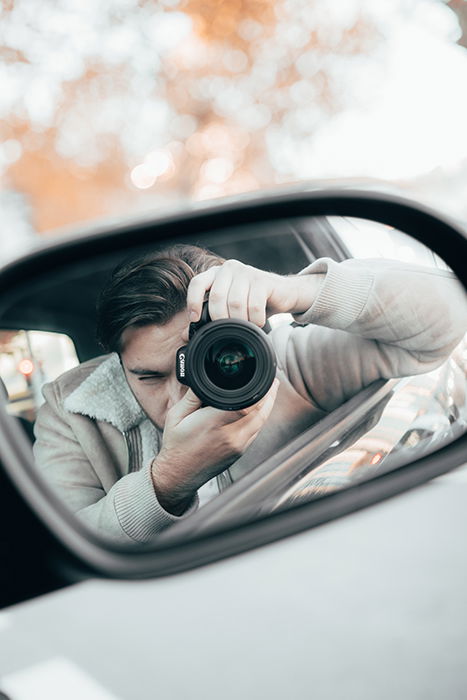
column 138, row 511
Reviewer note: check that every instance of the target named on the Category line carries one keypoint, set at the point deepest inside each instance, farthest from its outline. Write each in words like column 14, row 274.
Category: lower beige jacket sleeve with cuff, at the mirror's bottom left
column 72, row 455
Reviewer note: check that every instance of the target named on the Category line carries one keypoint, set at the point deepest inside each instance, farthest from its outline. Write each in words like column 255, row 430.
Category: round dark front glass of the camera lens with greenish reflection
column 230, row 364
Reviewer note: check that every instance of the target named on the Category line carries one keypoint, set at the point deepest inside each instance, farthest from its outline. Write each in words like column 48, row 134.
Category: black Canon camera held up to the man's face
column 229, row 363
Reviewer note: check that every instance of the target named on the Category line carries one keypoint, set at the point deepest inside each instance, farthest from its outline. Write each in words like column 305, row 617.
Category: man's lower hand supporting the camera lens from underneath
column 199, row 443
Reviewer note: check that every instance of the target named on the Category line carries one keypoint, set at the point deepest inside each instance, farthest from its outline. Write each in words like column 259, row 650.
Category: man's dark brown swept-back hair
column 148, row 290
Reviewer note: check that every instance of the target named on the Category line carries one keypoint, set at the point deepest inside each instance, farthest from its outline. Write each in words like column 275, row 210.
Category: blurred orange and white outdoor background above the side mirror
column 114, row 107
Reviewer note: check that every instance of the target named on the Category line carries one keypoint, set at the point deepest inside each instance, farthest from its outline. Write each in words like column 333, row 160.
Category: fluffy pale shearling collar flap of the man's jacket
column 105, row 395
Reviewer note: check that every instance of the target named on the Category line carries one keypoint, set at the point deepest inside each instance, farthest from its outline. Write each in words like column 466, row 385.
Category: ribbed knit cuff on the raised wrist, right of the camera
column 342, row 295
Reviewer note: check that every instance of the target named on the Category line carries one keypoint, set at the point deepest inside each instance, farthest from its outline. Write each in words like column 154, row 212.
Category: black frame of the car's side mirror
column 81, row 553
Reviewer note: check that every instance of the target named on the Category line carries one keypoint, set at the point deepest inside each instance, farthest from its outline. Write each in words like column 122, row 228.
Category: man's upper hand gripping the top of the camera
column 242, row 291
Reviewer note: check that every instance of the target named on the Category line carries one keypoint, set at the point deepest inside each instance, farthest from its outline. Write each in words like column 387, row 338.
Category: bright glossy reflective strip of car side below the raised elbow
column 418, row 416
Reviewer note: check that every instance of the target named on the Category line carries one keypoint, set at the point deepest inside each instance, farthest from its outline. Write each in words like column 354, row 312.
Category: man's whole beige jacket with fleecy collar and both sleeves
column 371, row 319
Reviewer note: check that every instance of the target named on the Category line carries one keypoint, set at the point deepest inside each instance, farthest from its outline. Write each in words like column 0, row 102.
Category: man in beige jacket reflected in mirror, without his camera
column 129, row 448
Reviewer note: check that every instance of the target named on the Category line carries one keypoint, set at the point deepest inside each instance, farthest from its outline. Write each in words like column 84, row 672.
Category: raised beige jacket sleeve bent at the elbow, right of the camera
column 371, row 319
